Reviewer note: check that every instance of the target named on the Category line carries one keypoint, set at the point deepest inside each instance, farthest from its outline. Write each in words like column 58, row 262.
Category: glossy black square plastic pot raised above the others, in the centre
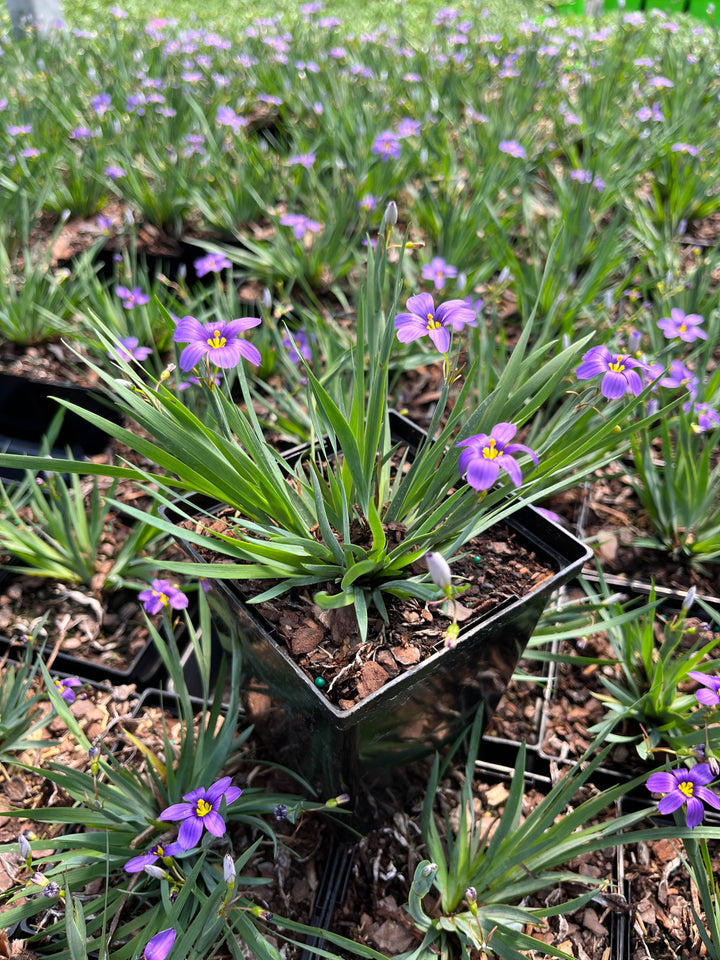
column 411, row 715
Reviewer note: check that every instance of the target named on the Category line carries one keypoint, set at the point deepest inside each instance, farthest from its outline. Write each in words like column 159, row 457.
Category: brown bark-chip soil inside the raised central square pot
column 326, row 645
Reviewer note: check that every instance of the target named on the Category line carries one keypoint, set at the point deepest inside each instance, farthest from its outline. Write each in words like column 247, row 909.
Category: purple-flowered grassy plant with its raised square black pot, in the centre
column 348, row 526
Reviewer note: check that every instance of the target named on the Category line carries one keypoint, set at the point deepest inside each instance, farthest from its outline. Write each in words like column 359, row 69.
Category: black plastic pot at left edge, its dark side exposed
column 28, row 408
